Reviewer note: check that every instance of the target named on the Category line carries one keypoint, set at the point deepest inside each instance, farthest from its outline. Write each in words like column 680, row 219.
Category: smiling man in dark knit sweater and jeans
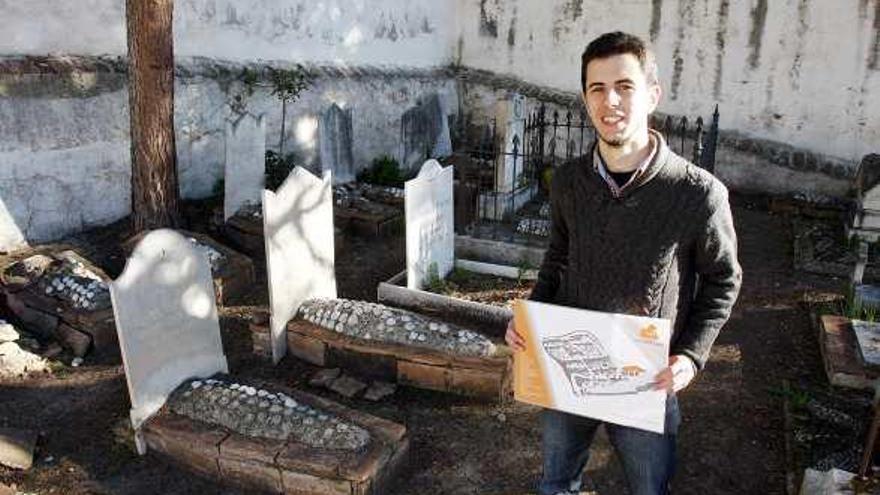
column 635, row 229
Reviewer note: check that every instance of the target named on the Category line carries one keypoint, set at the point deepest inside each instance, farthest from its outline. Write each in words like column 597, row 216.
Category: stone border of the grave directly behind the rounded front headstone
column 235, row 277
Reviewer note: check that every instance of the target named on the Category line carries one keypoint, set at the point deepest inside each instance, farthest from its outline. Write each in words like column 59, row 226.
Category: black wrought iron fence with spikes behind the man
column 502, row 185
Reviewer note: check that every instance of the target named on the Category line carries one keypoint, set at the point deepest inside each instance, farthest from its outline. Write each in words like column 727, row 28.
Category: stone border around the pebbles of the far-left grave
column 81, row 331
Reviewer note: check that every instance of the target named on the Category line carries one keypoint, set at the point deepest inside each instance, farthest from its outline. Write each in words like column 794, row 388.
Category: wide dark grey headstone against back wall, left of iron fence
column 424, row 133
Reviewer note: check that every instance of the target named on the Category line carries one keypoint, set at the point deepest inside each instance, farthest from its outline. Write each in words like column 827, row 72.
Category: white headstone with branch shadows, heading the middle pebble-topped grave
column 298, row 227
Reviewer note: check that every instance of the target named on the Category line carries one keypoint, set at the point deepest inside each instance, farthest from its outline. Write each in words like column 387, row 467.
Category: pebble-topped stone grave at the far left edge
column 59, row 295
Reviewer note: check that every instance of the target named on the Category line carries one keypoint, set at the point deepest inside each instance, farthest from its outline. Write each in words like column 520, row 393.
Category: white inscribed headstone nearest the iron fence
column 430, row 234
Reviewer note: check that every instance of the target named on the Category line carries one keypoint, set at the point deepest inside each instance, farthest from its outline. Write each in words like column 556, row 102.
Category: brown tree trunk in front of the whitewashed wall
column 154, row 193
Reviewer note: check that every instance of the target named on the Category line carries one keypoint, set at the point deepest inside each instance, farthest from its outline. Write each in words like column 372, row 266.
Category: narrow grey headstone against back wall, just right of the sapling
column 335, row 136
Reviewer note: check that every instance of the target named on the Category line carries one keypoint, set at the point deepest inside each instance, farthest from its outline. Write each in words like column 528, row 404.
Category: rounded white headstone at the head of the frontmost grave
column 166, row 321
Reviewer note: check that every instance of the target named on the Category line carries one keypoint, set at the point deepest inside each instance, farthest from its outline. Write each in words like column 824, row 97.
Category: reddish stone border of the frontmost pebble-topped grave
column 283, row 466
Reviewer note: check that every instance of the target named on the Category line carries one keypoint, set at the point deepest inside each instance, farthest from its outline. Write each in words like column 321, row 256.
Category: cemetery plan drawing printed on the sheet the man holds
column 589, row 368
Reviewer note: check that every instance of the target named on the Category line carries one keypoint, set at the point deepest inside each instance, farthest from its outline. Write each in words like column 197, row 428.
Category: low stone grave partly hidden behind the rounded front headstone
column 232, row 272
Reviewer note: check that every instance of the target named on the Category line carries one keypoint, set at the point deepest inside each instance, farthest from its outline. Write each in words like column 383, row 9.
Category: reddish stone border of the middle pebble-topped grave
column 481, row 377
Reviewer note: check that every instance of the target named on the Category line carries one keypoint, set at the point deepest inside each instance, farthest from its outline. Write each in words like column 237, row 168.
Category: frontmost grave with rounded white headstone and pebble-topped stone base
column 186, row 409
